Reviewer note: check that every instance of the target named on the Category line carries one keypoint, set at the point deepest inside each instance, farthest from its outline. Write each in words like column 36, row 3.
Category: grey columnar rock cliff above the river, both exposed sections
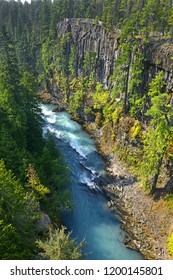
column 87, row 35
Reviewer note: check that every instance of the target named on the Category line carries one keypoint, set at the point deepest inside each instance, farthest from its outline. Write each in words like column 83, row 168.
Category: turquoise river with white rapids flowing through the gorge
column 90, row 217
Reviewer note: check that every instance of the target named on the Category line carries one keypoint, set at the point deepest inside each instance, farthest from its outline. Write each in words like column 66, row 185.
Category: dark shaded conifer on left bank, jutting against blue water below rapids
column 55, row 176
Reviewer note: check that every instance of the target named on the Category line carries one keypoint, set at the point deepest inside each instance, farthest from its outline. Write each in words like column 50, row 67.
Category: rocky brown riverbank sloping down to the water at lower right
column 147, row 221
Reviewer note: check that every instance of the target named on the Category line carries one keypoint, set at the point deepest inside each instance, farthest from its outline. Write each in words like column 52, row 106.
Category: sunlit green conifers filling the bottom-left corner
column 18, row 214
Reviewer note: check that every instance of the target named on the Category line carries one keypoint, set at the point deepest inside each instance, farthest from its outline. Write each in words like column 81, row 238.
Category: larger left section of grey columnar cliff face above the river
column 88, row 36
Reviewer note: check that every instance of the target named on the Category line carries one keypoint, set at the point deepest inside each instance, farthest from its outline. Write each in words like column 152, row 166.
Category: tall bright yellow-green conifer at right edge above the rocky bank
column 158, row 133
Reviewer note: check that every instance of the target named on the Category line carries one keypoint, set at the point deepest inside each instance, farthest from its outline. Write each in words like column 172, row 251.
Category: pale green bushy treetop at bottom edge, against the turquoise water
column 60, row 246
